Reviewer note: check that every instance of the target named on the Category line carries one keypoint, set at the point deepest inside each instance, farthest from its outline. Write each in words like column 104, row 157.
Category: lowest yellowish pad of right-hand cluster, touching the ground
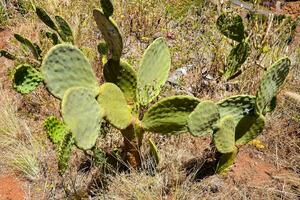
column 226, row 161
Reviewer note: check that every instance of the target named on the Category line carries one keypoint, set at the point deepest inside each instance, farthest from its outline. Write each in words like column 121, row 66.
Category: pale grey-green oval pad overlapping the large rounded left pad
column 82, row 115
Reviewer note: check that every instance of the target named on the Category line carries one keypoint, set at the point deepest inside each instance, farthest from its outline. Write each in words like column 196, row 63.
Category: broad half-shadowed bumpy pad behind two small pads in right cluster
column 237, row 106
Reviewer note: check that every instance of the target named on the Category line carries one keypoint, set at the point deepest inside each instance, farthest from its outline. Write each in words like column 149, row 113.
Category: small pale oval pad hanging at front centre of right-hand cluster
column 224, row 137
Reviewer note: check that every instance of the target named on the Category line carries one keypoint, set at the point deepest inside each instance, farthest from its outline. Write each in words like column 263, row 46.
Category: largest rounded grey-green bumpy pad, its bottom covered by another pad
column 64, row 67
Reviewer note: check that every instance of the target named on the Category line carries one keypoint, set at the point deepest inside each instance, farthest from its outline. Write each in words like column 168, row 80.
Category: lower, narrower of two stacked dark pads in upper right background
column 236, row 58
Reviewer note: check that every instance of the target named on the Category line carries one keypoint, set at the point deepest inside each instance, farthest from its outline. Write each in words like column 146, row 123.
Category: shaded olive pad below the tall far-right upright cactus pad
column 249, row 128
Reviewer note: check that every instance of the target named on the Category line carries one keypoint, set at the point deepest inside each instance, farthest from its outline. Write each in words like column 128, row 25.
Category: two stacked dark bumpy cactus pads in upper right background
column 231, row 25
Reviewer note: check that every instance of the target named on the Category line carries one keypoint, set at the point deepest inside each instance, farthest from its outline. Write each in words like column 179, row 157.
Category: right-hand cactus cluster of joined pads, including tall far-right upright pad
column 238, row 120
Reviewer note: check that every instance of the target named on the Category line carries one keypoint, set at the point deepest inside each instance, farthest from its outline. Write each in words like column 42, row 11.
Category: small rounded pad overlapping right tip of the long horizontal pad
column 202, row 120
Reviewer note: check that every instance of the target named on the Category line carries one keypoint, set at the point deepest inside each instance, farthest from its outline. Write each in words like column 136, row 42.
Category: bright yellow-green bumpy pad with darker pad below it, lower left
column 62, row 139
